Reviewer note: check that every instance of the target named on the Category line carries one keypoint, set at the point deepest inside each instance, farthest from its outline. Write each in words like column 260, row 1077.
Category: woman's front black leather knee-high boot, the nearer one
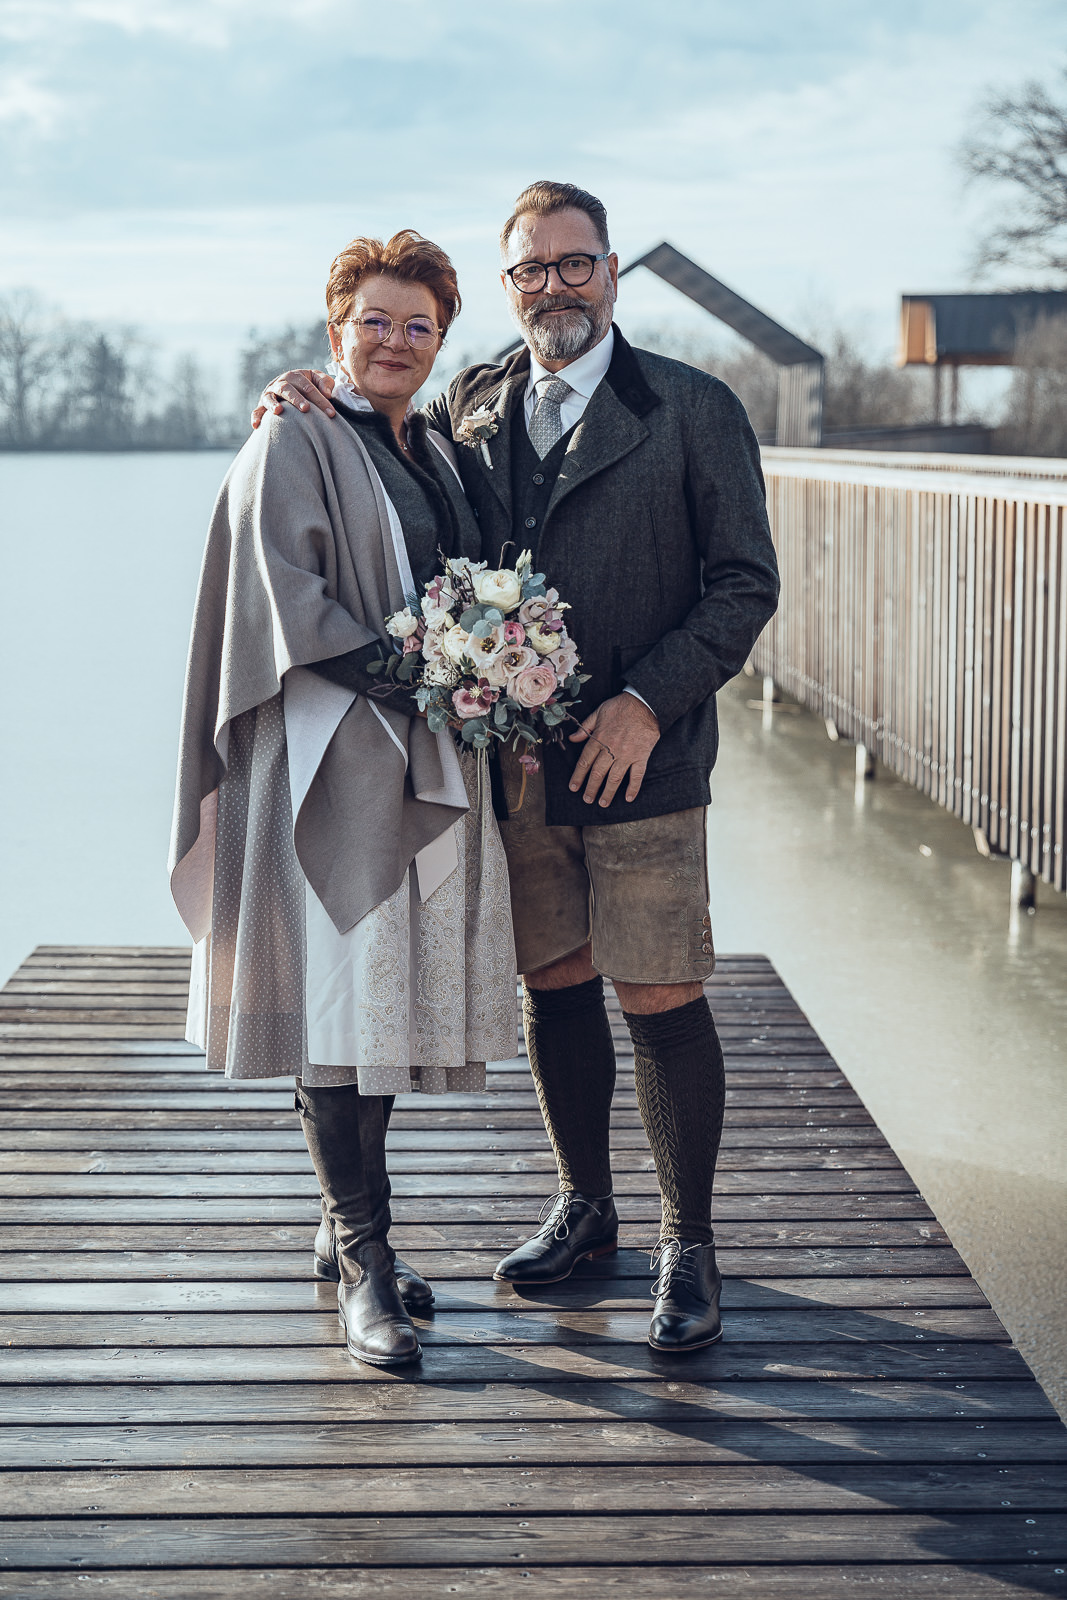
column 346, row 1140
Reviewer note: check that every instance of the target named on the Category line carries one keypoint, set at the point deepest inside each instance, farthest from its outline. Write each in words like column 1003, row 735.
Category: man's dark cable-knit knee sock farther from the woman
column 682, row 1092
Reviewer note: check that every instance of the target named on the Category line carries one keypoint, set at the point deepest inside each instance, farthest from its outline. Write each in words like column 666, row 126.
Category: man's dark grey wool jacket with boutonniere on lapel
column 657, row 534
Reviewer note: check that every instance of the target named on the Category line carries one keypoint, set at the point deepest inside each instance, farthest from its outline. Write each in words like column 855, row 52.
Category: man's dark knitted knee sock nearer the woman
column 572, row 1058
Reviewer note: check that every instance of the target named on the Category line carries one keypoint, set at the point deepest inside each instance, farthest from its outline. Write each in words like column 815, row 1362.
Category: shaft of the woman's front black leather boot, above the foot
column 346, row 1140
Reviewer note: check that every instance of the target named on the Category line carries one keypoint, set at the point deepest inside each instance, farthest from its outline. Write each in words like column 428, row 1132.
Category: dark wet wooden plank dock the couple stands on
column 180, row 1418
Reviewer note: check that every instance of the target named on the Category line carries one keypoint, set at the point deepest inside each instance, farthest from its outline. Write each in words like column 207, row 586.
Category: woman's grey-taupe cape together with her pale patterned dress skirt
column 342, row 879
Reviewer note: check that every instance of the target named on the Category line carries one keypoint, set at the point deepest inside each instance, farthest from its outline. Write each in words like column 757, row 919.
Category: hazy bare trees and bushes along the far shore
column 76, row 386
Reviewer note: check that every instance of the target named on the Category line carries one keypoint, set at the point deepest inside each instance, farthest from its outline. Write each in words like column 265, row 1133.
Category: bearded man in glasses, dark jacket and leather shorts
column 637, row 484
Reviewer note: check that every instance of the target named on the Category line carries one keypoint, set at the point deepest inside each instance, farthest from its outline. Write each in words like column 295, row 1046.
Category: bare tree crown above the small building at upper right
column 1021, row 146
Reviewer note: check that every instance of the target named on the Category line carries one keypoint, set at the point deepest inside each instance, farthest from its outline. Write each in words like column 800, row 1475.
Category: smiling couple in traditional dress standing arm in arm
column 346, row 887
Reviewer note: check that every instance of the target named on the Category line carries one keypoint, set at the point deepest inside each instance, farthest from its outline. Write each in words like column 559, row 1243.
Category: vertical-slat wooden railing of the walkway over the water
column 925, row 615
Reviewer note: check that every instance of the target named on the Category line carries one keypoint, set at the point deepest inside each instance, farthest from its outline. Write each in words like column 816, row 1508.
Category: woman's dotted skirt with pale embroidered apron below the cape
column 418, row 996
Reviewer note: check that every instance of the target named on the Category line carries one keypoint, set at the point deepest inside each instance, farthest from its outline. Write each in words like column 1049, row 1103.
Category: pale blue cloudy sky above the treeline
column 191, row 167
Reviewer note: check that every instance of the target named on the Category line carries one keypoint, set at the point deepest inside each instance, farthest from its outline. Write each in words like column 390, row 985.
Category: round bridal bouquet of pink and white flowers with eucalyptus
column 489, row 655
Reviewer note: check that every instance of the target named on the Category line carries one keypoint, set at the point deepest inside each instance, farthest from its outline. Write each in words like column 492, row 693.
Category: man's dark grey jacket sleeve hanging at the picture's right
column 729, row 519
